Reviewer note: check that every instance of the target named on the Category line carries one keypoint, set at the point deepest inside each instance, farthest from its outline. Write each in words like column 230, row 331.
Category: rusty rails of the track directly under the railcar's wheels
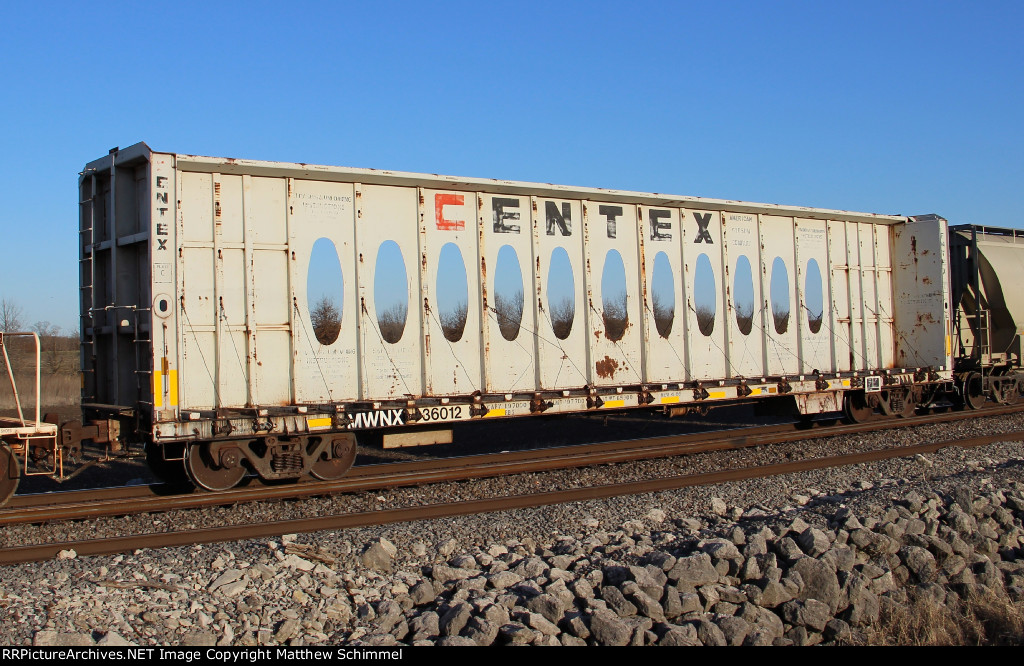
column 106, row 503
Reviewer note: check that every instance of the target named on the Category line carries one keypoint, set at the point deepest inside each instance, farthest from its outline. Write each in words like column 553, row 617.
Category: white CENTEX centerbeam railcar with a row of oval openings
column 206, row 338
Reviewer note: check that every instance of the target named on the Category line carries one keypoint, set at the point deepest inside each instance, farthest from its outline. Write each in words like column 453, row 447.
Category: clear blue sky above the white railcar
column 891, row 108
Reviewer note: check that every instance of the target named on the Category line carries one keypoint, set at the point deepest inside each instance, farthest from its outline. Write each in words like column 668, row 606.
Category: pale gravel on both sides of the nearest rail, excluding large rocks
column 158, row 600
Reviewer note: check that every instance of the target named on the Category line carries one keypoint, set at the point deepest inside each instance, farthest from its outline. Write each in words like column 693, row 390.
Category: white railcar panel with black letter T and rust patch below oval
column 610, row 229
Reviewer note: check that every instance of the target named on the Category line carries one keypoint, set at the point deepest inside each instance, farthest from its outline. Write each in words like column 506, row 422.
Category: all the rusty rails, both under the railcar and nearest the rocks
column 88, row 505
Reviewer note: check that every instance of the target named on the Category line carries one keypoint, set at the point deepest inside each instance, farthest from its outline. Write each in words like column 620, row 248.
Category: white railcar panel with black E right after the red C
column 509, row 365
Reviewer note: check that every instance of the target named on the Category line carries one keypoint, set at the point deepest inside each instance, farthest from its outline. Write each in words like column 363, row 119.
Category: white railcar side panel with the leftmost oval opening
column 324, row 211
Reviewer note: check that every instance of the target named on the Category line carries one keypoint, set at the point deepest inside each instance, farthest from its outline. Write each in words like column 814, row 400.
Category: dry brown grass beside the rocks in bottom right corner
column 988, row 621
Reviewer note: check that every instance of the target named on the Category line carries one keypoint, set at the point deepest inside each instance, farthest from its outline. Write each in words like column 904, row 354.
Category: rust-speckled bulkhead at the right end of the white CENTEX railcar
column 922, row 294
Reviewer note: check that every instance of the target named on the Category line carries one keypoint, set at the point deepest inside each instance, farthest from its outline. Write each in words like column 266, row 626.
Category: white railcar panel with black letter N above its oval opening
column 559, row 225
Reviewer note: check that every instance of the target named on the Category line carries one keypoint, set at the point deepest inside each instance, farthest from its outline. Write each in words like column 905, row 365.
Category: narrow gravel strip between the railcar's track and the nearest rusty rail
column 541, row 482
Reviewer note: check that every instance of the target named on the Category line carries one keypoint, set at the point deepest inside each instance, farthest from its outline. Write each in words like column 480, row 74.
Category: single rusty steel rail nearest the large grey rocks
column 368, row 519
